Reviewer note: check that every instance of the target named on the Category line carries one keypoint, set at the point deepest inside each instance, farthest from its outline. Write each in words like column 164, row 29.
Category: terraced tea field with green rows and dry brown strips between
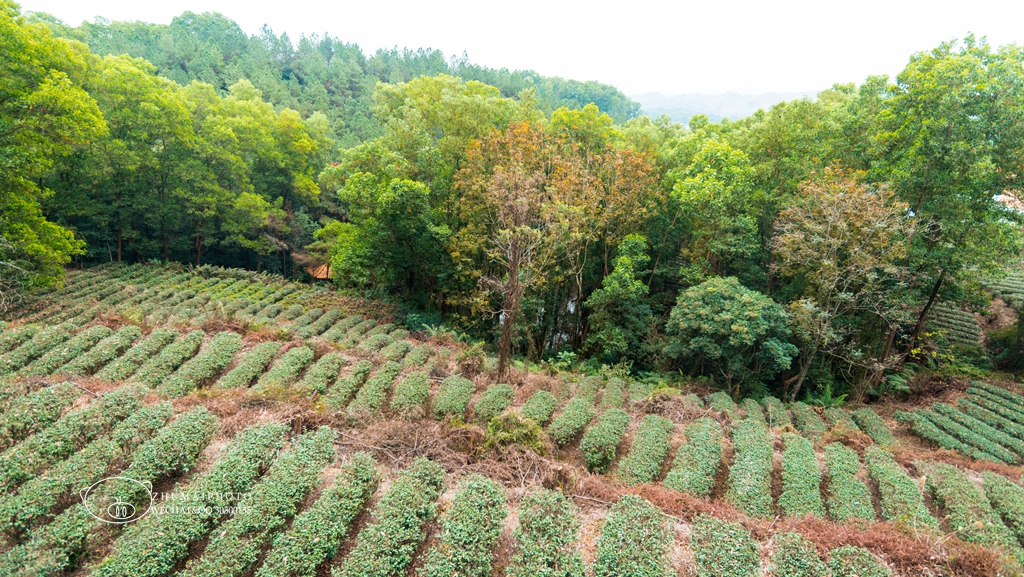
column 267, row 429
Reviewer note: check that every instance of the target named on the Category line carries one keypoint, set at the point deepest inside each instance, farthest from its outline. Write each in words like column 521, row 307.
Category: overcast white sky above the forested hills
column 639, row 46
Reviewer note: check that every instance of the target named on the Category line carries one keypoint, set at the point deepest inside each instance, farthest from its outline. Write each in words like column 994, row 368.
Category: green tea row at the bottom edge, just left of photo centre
column 471, row 529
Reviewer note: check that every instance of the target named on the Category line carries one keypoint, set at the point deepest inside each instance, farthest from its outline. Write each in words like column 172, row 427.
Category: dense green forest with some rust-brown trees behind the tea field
column 798, row 251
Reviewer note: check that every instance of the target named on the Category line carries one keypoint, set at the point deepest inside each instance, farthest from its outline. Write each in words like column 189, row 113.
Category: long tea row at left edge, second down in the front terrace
column 68, row 435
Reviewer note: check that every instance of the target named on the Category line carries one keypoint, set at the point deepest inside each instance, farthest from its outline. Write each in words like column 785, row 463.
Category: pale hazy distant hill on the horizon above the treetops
column 732, row 105
